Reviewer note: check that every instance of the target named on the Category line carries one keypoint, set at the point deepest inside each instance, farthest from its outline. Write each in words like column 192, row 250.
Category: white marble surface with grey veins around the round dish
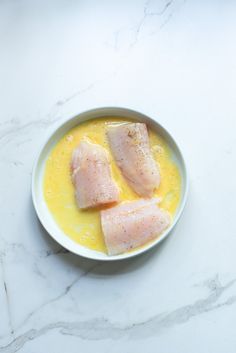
column 174, row 60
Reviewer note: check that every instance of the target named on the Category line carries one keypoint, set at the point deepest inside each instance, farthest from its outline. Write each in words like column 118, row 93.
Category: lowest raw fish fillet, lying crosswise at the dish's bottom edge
column 132, row 224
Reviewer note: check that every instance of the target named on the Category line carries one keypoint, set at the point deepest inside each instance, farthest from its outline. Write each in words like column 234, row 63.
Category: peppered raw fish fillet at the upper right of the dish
column 130, row 146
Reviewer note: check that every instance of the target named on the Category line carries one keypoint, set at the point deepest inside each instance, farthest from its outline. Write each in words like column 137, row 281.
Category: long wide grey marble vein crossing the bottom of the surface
column 101, row 328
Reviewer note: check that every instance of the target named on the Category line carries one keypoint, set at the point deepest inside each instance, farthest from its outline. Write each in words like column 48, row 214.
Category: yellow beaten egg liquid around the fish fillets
column 83, row 226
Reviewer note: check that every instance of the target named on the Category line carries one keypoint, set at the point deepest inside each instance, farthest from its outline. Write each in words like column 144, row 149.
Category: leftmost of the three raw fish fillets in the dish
column 91, row 176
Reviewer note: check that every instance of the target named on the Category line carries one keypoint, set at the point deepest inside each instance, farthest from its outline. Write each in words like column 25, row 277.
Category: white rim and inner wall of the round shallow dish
column 40, row 205
